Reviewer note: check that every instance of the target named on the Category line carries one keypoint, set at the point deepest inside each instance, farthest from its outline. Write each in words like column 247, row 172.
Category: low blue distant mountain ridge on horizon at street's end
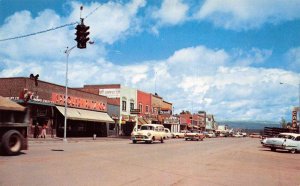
column 258, row 125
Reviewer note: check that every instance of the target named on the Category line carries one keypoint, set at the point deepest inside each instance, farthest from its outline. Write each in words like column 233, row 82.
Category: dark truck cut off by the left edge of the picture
column 14, row 121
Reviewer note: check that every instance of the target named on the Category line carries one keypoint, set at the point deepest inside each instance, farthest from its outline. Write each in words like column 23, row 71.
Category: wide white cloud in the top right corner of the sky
column 243, row 15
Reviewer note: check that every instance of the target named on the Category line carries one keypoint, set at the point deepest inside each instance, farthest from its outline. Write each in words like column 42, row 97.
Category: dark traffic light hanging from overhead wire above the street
column 82, row 35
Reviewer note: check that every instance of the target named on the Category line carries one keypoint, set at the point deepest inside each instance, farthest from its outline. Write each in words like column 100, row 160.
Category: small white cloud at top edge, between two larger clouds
column 171, row 12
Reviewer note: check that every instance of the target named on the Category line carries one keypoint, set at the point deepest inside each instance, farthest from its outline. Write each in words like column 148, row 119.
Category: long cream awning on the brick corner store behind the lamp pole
column 85, row 115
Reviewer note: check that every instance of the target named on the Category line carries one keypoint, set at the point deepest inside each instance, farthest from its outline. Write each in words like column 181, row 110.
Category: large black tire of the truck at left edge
column 12, row 142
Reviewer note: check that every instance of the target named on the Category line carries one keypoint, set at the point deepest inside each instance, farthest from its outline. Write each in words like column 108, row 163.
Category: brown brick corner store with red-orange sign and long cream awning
column 87, row 113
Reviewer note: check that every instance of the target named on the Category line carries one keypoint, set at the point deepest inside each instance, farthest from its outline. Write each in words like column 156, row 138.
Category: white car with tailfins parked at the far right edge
column 277, row 142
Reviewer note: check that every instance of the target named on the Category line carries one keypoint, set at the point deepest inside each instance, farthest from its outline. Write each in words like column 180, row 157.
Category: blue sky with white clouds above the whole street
column 227, row 57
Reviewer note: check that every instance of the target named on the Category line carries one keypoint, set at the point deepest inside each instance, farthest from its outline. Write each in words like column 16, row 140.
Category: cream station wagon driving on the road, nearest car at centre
column 149, row 133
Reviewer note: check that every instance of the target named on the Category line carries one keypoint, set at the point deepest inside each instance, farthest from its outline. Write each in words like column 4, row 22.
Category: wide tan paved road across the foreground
column 219, row 161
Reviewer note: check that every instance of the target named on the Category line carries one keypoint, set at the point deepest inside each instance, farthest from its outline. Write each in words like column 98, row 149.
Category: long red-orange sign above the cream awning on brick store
column 59, row 99
